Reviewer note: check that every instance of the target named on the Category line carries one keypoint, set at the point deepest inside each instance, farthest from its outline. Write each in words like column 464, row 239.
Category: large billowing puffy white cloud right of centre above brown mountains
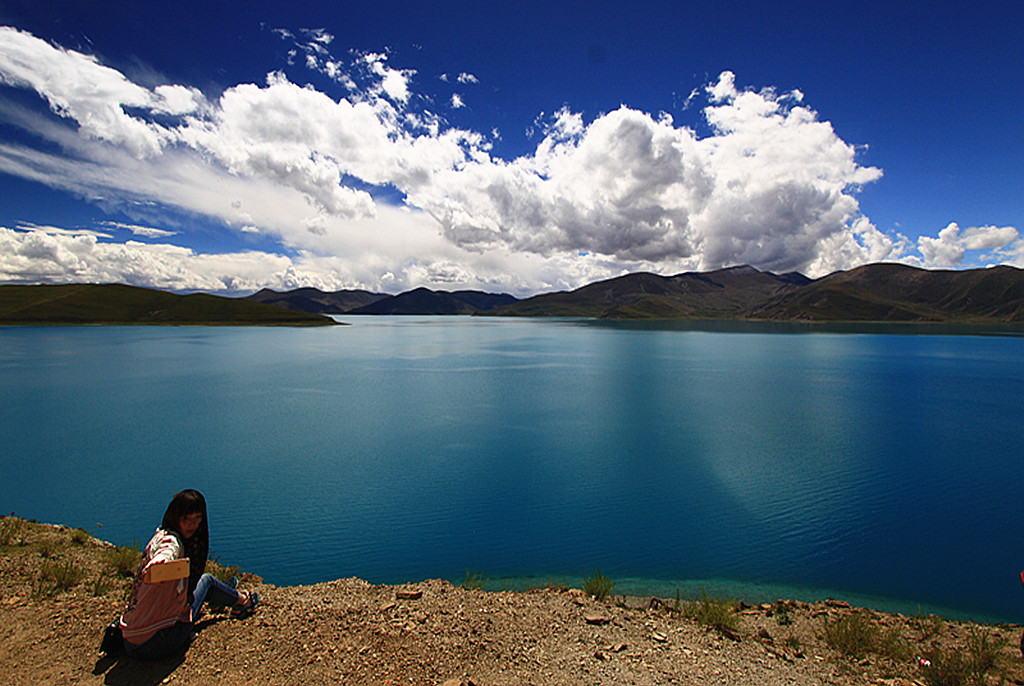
column 771, row 188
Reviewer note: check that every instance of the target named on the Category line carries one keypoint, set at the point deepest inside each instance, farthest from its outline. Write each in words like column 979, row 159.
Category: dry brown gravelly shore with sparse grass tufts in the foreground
column 434, row 633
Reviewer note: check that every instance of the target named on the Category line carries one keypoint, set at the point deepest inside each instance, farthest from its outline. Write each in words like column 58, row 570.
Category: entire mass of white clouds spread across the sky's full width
column 772, row 186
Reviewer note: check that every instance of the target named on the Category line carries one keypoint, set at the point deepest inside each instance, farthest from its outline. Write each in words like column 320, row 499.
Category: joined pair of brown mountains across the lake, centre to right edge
column 870, row 293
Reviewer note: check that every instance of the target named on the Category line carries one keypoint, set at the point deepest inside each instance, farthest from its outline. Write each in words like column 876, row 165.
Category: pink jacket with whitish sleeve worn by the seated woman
column 155, row 607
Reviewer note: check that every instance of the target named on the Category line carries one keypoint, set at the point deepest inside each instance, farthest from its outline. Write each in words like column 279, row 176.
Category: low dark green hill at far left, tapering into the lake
column 115, row 304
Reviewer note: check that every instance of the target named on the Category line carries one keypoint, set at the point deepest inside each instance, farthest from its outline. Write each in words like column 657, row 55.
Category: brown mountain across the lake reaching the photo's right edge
column 901, row 293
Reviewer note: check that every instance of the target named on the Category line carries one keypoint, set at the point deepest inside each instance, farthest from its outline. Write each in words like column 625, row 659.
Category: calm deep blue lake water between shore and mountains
column 758, row 462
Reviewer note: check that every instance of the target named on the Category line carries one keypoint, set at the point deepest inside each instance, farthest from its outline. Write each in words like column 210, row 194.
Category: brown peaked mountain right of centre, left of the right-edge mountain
column 726, row 293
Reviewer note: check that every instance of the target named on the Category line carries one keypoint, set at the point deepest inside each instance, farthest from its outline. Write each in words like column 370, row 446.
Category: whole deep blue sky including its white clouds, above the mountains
column 506, row 147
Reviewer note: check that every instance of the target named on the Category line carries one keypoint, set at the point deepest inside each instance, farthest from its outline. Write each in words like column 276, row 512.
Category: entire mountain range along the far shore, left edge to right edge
column 881, row 292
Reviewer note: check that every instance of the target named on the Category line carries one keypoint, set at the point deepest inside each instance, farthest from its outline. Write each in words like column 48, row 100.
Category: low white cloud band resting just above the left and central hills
column 53, row 255
